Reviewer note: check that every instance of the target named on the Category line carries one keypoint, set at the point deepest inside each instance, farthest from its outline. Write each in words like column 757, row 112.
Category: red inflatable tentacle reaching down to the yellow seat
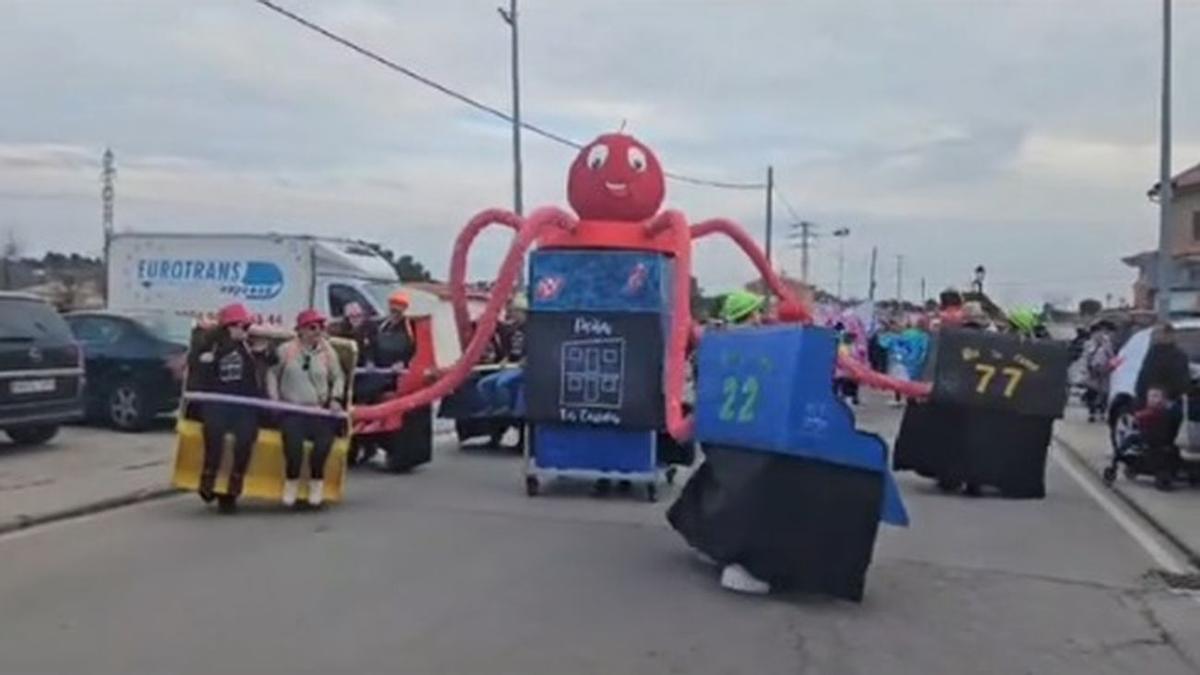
column 391, row 411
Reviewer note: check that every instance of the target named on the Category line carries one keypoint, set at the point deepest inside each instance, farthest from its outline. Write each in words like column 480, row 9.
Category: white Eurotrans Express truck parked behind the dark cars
column 274, row 276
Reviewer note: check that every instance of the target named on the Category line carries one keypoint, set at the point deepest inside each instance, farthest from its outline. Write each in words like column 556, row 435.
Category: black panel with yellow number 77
column 1001, row 372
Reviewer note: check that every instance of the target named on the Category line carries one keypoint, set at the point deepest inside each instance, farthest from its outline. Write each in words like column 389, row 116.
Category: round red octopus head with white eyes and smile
column 616, row 178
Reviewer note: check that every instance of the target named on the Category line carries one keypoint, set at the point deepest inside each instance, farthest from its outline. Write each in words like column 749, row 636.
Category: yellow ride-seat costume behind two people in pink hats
column 265, row 476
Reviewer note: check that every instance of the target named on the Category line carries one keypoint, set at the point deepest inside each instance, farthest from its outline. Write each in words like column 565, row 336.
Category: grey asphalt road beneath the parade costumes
column 455, row 571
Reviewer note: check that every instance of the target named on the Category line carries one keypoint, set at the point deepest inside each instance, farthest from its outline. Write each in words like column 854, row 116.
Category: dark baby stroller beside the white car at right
column 1148, row 449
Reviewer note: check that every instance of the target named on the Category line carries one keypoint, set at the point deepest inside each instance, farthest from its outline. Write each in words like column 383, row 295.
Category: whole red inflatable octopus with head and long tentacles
column 616, row 187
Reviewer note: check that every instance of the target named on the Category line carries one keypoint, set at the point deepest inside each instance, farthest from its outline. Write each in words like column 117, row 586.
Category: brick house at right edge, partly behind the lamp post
column 1184, row 244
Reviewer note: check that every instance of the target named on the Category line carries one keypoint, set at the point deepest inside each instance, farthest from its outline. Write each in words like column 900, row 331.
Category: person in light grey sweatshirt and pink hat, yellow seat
column 308, row 374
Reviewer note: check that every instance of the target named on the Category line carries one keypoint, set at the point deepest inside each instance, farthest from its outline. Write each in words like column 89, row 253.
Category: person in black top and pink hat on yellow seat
column 230, row 367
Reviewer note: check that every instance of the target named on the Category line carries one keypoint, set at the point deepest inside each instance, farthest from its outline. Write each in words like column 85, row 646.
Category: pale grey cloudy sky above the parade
column 1016, row 134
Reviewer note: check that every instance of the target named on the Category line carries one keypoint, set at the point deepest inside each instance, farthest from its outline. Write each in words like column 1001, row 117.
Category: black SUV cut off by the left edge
column 41, row 371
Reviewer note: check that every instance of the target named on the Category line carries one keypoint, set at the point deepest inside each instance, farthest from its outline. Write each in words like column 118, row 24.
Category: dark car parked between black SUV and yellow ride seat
column 135, row 366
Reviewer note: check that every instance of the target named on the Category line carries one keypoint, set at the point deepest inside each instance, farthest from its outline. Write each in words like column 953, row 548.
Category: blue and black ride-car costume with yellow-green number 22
column 789, row 489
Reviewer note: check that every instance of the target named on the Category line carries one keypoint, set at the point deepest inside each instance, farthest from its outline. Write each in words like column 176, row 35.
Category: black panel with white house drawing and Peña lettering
column 602, row 369
